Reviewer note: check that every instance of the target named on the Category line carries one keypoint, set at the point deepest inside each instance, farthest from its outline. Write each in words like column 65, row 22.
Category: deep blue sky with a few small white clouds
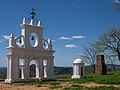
column 70, row 24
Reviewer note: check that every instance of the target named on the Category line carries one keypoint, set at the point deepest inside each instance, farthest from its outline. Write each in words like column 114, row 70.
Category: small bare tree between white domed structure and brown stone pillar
column 89, row 56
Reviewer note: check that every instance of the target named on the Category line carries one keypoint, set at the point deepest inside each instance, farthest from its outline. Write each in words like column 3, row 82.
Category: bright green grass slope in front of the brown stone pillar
column 110, row 78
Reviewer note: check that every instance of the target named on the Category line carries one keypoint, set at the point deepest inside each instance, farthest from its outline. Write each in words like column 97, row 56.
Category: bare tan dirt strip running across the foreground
column 4, row 86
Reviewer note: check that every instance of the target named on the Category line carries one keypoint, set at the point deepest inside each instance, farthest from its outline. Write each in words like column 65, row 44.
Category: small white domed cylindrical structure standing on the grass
column 78, row 68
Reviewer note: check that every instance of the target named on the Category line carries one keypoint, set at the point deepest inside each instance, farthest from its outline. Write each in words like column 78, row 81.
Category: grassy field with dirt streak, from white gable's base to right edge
column 111, row 81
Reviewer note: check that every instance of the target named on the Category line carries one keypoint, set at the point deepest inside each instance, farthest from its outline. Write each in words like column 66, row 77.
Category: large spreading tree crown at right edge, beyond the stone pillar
column 109, row 42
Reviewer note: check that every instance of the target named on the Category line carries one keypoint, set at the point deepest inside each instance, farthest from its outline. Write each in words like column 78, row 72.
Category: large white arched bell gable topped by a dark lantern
column 20, row 54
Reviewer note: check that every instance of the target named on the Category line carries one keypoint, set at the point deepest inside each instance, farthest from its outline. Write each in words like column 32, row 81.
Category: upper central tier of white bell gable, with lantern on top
column 33, row 32
